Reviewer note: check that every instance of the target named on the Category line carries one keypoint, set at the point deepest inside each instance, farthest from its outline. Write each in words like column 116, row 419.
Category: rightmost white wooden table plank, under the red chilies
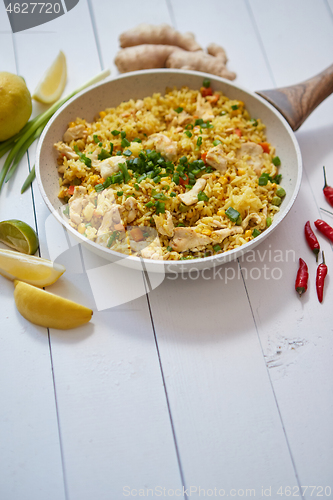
column 297, row 344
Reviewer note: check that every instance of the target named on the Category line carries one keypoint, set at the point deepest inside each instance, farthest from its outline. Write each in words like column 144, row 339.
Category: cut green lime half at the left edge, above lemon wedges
column 18, row 235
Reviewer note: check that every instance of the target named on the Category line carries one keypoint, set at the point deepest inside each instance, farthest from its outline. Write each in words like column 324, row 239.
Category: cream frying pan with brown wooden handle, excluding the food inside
column 281, row 110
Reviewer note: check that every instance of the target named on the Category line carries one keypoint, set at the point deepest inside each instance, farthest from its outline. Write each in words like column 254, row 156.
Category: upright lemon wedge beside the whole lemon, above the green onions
column 53, row 82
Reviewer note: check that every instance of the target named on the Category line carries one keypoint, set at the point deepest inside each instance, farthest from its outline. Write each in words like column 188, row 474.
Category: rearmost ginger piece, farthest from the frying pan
column 158, row 35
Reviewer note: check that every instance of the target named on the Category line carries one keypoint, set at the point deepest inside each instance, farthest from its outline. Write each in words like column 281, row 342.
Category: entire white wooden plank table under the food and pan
column 223, row 386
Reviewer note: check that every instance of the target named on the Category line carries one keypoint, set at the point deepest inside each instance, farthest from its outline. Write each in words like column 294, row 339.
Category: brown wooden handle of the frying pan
column 296, row 103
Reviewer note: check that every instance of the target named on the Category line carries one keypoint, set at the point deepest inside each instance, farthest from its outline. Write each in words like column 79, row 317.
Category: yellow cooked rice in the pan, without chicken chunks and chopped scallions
column 237, row 187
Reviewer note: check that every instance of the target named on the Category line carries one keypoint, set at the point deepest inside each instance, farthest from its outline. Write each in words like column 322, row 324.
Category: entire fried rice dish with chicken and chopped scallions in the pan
column 183, row 175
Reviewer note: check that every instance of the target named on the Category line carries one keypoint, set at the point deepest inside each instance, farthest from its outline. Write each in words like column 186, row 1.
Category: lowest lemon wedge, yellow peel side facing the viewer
column 46, row 309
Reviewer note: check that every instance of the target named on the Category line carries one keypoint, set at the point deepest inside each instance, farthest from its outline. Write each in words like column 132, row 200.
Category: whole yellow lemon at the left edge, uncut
column 15, row 104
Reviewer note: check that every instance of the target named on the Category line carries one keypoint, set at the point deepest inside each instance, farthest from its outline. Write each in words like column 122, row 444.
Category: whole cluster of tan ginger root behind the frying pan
column 148, row 47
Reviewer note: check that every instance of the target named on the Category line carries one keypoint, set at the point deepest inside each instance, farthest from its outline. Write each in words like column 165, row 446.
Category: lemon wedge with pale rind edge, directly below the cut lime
column 28, row 268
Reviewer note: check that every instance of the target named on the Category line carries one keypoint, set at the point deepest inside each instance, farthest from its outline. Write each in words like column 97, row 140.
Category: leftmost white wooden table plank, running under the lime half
column 30, row 455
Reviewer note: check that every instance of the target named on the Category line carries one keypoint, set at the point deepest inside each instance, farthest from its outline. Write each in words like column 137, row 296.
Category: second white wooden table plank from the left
column 113, row 412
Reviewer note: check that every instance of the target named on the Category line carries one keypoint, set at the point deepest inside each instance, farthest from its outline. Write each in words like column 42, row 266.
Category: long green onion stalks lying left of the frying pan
column 19, row 143
